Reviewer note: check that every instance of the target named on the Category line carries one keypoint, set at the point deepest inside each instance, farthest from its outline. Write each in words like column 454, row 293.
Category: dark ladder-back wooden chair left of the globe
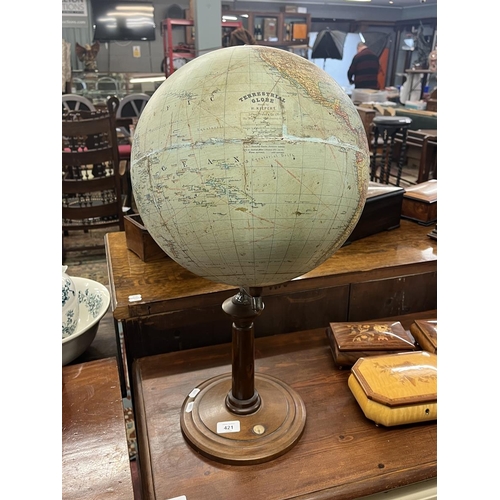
column 91, row 183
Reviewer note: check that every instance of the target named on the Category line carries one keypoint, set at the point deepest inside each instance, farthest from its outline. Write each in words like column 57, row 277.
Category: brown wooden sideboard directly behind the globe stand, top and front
column 161, row 307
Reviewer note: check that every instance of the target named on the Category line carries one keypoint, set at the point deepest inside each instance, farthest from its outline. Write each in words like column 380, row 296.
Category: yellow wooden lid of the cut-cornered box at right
column 398, row 379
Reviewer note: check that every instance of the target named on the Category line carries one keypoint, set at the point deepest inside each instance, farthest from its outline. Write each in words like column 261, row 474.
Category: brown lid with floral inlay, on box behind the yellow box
column 372, row 336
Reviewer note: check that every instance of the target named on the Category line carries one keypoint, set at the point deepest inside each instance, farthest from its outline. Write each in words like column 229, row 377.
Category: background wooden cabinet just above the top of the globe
column 278, row 29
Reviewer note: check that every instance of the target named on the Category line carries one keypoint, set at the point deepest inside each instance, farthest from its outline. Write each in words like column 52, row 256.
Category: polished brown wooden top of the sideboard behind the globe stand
column 164, row 285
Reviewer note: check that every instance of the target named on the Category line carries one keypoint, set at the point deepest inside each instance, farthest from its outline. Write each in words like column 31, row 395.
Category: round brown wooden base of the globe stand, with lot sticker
column 217, row 433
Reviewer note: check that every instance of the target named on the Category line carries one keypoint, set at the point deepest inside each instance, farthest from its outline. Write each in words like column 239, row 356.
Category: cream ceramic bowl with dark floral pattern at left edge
column 93, row 300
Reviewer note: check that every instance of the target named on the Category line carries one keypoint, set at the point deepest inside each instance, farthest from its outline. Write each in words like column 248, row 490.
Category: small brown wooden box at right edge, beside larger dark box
column 420, row 203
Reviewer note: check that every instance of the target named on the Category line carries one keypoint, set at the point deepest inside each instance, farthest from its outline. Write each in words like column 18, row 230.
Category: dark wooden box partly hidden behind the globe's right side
column 382, row 211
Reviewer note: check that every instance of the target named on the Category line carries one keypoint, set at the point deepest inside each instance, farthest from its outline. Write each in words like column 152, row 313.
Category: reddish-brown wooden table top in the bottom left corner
column 95, row 458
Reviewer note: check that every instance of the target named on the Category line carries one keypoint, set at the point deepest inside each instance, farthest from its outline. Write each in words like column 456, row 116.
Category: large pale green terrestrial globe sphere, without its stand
column 250, row 166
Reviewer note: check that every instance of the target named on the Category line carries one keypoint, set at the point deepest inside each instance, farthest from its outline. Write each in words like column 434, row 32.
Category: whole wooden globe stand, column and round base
column 243, row 418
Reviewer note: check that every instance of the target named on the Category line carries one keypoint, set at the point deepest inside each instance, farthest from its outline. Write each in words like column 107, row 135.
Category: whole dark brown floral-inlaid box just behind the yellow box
column 351, row 341
